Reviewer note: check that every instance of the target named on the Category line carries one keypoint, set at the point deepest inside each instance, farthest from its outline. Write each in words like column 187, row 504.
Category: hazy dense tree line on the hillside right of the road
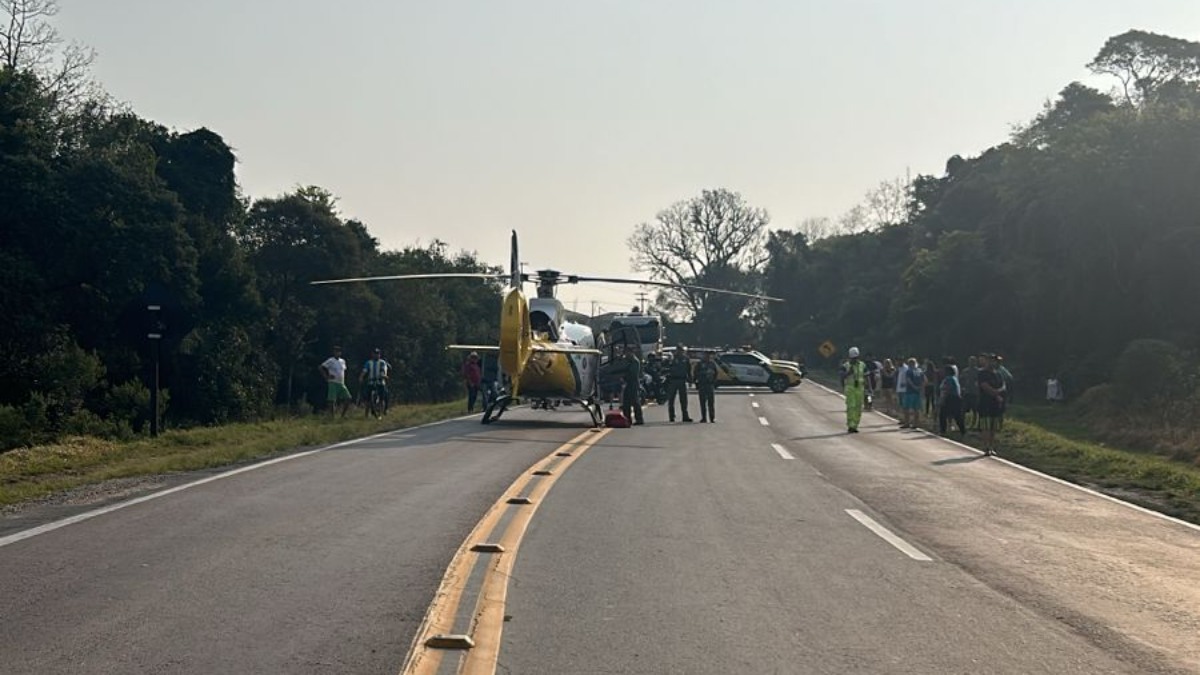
column 1059, row 248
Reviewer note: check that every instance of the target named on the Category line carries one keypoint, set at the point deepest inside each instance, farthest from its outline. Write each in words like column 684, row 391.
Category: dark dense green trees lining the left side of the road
column 104, row 214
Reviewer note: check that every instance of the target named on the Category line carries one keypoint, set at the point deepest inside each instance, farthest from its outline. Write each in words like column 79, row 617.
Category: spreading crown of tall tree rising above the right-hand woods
column 1145, row 62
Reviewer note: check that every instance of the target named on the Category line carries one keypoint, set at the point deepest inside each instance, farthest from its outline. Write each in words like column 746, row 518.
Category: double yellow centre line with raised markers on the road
column 434, row 640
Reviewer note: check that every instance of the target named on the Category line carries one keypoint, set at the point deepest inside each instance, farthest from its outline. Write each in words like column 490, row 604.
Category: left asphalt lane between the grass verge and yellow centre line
column 325, row 564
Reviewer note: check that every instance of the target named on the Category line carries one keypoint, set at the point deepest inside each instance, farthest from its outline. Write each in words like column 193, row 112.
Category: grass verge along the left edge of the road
column 29, row 474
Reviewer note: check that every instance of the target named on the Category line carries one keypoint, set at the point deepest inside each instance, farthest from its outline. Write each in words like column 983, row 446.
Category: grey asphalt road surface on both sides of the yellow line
column 771, row 542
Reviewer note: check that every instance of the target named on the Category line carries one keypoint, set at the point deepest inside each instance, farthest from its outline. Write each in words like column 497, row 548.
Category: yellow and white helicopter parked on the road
column 547, row 357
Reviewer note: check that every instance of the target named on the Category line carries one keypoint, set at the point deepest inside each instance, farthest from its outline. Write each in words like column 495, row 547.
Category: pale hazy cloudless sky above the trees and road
column 573, row 122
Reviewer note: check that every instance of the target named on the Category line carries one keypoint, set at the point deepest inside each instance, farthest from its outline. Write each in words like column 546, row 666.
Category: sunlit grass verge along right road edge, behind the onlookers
column 1054, row 441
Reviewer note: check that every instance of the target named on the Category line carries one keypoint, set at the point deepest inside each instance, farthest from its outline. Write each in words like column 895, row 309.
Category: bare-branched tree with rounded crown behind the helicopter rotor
column 716, row 240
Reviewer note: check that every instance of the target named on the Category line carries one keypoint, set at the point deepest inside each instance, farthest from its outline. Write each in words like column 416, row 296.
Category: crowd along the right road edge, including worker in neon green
column 976, row 395
